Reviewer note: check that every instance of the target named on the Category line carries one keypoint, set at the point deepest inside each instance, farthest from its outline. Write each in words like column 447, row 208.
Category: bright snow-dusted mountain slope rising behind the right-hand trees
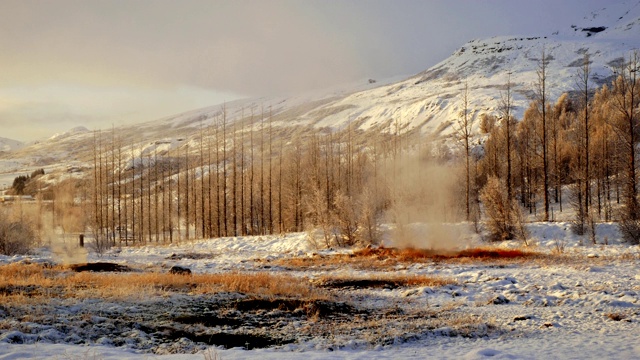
column 432, row 100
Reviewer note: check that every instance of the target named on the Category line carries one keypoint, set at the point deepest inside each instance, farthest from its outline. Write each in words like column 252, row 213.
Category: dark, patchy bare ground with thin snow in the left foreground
column 181, row 322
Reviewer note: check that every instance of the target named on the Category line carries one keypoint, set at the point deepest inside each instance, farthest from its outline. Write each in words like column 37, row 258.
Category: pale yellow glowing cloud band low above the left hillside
column 29, row 113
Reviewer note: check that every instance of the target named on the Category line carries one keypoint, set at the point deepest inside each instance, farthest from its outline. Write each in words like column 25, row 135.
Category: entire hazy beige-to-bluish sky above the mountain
column 69, row 63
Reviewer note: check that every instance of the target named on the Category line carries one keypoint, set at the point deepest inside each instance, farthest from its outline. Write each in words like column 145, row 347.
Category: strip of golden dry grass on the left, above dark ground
column 36, row 283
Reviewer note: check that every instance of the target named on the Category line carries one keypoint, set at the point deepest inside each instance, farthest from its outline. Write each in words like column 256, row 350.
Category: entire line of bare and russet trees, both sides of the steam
column 254, row 176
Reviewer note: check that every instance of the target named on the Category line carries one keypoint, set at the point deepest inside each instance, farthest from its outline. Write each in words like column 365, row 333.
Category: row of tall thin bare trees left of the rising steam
column 244, row 178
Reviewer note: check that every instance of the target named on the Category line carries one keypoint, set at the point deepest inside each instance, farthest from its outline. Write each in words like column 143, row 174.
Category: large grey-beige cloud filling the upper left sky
column 245, row 47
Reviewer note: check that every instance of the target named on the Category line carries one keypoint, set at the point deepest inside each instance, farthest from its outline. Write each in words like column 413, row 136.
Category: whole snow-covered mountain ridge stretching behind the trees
column 428, row 102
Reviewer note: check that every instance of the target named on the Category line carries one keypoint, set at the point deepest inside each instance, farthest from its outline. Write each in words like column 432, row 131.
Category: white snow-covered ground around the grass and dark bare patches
column 582, row 302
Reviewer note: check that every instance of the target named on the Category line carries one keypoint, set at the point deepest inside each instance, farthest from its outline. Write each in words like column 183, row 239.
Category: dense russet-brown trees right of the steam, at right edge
column 582, row 145
